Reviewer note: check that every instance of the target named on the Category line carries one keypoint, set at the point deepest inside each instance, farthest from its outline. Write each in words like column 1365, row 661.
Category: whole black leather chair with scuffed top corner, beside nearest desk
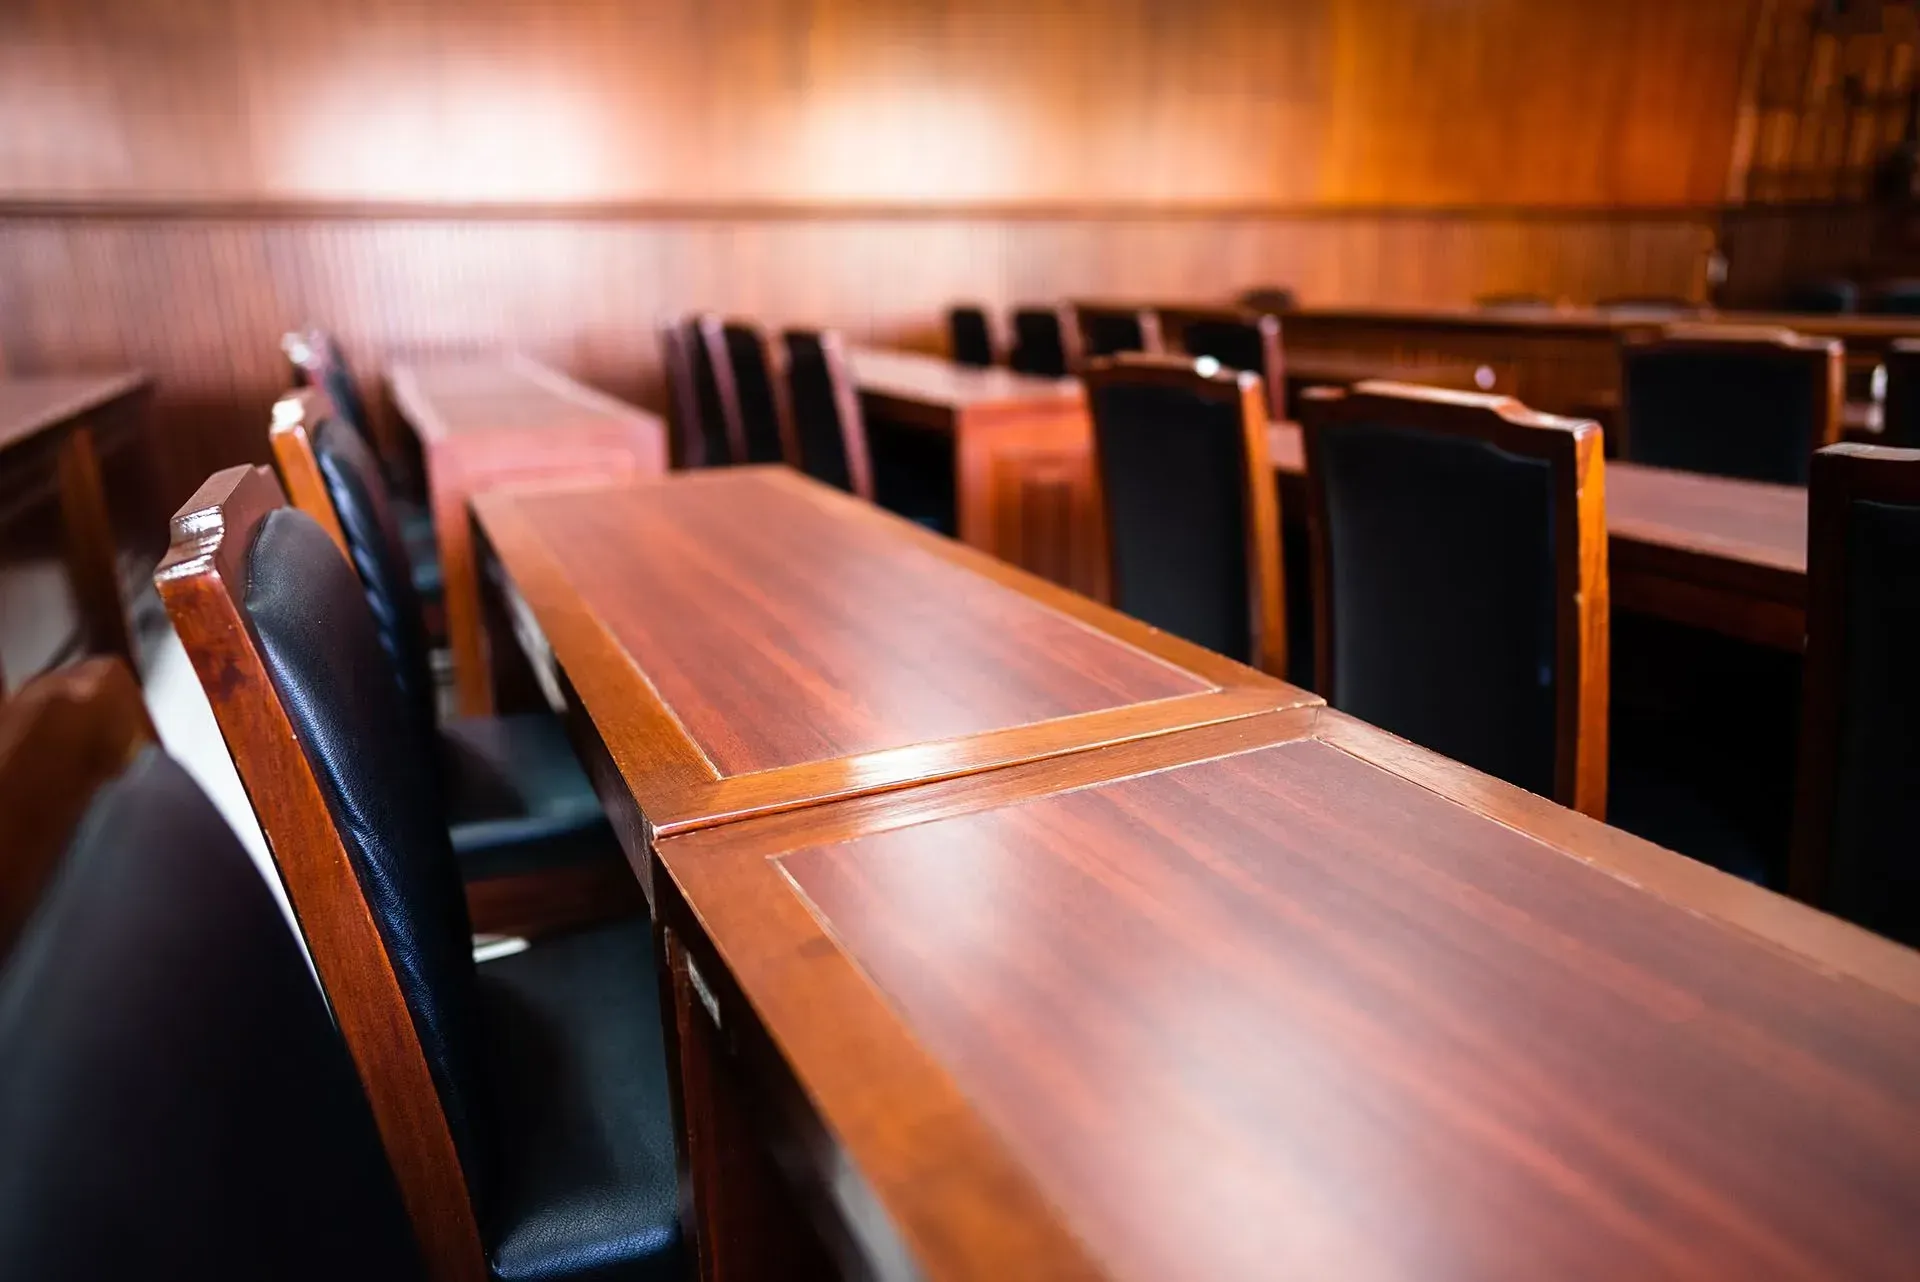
column 523, row 1103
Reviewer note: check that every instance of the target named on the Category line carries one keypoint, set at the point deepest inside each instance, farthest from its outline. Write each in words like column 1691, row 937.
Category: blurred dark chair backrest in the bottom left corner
column 174, row 1095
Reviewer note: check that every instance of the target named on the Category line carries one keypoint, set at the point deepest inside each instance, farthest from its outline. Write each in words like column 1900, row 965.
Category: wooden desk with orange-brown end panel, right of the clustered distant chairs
column 1020, row 446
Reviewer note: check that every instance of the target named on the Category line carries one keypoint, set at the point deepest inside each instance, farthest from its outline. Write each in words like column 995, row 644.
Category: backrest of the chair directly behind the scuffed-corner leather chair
column 331, row 477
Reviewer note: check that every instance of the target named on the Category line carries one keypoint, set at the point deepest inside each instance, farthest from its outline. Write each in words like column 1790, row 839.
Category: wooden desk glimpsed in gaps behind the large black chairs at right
column 1712, row 552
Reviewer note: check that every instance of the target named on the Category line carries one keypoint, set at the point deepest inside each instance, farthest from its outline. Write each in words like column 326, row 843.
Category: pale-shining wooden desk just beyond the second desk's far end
column 491, row 421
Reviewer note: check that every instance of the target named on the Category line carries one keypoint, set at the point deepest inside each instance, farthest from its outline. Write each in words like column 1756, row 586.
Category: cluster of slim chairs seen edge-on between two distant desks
column 736, row 394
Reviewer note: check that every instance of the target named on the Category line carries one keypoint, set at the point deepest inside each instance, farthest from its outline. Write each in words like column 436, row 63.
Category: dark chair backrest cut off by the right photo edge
column 1858, row 815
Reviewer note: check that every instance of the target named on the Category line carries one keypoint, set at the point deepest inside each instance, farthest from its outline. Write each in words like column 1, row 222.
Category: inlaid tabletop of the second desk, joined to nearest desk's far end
column 748, row 640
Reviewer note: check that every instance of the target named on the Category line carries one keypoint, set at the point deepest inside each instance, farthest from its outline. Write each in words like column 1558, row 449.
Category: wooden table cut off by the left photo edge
column 53, row 435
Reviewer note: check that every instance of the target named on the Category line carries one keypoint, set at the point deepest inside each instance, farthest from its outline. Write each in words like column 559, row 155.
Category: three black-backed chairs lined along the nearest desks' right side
column 1460, row 592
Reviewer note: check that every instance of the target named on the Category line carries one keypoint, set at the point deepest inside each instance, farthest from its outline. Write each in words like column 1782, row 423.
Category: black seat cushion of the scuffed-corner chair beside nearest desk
column 585, row 1179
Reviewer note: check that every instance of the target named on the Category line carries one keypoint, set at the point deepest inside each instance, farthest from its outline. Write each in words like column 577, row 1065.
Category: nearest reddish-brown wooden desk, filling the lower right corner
column 1274, row 999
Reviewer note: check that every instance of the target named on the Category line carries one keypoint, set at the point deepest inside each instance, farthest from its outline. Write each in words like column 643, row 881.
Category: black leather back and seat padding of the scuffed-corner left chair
column 548, row 1066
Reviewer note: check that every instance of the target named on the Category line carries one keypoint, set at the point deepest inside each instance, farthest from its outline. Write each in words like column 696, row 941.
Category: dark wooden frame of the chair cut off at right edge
column 1842, row 475
